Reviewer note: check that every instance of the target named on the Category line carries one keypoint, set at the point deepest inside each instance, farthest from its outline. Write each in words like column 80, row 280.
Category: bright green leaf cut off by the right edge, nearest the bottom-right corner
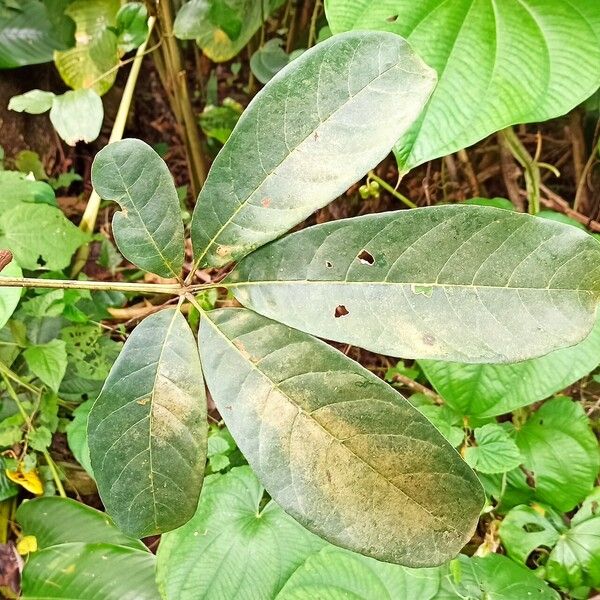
column 575, row 561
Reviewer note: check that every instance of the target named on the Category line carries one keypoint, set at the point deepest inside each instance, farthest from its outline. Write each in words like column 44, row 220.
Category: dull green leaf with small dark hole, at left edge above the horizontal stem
column 39, row 236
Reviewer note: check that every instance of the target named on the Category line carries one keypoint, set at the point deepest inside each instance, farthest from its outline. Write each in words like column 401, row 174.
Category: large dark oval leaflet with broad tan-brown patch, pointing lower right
column 337, row 448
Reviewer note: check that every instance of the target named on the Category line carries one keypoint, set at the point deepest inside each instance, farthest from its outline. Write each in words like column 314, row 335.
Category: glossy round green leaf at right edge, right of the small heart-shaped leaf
column 560, row 451
